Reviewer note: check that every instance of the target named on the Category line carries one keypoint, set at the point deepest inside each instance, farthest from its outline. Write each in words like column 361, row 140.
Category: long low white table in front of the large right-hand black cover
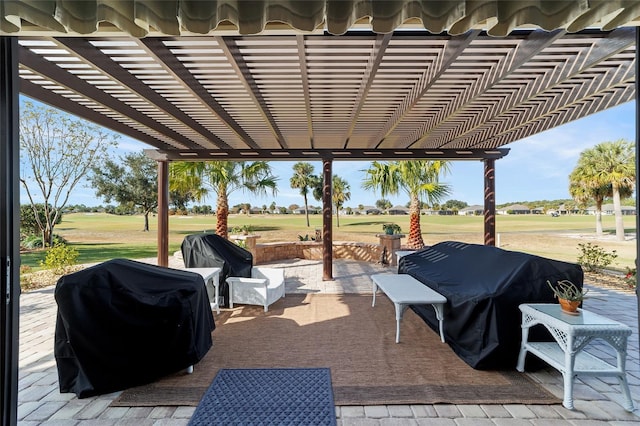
column 404, row 290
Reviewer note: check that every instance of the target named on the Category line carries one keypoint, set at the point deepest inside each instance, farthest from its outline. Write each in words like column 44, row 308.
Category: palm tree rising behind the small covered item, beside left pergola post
column 223, row 178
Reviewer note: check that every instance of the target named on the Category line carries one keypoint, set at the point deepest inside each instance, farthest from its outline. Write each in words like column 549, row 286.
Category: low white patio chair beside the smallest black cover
column 265, row 287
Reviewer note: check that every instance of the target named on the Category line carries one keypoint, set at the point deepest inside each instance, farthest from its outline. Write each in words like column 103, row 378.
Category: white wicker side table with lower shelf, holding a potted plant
column 572, row 333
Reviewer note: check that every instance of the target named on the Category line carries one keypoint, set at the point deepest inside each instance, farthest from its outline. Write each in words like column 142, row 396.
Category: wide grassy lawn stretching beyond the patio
column 99, row 237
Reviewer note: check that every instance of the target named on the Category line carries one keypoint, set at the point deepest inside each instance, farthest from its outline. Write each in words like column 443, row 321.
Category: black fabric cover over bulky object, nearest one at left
column 124, row 323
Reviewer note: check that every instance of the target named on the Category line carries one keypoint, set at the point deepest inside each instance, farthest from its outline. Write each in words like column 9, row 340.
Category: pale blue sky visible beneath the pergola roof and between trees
column 536, row 168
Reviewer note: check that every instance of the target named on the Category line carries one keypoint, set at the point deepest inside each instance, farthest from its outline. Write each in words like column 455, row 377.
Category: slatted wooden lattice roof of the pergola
column 362, row 95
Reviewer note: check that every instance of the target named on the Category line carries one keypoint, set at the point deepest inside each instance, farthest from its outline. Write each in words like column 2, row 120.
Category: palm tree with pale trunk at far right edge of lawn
column 610, row 163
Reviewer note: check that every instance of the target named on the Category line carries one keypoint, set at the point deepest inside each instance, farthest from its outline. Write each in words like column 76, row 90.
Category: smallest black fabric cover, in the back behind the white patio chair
column 212, row 251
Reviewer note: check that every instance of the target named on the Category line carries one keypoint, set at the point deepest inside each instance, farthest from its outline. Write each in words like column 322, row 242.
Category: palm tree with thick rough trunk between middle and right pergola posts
column 415, row 177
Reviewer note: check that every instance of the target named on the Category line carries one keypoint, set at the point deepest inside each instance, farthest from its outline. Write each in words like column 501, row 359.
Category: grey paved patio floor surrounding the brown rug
column 39, row 401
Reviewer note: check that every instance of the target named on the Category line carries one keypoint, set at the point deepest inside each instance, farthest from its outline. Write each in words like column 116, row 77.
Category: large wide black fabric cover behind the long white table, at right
column 484, row 286
